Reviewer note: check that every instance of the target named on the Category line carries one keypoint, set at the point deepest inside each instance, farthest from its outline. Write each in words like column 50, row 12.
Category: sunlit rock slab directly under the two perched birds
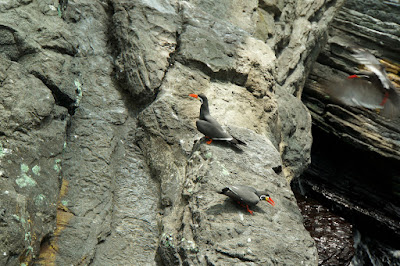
column 200, row 226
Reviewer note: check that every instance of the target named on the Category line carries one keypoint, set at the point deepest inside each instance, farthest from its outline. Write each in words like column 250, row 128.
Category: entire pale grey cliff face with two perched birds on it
column 99, row 156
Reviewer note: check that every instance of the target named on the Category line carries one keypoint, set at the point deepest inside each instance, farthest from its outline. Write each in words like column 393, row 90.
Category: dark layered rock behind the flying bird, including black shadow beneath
column 355, row 161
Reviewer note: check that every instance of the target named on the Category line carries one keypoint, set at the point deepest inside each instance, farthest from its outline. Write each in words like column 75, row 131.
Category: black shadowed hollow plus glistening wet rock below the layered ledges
column 350, row 201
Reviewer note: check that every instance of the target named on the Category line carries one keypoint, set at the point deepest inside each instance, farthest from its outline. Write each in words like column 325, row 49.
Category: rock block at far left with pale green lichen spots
column 32, row 137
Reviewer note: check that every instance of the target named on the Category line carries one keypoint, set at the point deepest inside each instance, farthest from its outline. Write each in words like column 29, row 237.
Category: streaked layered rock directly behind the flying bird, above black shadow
column 377, row 34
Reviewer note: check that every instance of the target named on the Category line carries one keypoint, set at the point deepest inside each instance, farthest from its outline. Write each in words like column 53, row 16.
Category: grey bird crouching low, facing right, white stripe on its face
column 246, row 195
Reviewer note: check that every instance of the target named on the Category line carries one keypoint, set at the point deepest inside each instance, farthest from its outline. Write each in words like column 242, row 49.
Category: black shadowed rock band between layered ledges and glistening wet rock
column 363, row 185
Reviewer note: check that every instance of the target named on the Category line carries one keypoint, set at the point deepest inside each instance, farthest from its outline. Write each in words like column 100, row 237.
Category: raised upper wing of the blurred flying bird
column 369, row 60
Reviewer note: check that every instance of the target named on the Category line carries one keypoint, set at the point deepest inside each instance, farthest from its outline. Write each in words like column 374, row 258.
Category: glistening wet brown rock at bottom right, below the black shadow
column 340, row 241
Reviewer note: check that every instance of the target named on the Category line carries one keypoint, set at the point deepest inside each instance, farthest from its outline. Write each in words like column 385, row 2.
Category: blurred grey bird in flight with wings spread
column 371, row 89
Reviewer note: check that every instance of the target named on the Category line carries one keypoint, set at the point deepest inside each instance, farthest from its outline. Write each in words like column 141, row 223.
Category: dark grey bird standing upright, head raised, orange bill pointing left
column 209, row 126
